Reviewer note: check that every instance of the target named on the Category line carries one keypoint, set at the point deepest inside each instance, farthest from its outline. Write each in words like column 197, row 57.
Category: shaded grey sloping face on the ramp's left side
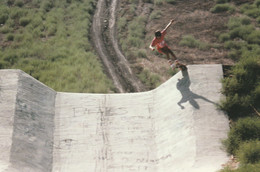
column 33, row 127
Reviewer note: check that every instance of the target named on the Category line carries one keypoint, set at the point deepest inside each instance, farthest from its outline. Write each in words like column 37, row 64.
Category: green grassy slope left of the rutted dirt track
column 49, row 40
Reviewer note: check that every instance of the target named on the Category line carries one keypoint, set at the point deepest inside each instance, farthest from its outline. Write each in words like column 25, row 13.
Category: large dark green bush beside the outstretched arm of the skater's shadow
column 241, row 89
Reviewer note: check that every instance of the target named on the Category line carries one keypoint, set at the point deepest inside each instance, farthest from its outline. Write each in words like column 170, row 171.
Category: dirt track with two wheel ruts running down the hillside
column 105, row 41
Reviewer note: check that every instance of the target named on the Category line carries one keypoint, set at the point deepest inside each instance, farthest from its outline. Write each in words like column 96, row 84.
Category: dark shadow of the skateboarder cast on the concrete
column 183, row 86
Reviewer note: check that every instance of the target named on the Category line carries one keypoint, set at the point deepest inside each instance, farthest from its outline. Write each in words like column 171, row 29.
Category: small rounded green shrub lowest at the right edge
column 249, row 152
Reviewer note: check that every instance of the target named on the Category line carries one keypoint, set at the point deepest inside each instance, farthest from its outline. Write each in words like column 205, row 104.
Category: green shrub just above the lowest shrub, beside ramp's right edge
column 244, row 130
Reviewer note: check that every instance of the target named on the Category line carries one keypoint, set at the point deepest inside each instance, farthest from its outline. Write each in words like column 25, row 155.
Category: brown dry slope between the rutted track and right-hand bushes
column 192, row 18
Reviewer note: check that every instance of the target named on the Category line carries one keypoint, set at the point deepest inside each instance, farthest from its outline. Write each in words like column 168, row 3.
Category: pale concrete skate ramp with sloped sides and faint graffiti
column 173, row 128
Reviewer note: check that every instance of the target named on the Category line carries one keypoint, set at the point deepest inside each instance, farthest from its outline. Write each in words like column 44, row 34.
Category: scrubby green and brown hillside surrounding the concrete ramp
column 51, row 40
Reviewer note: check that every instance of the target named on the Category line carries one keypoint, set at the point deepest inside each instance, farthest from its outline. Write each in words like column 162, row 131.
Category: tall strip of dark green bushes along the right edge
column 242, row 88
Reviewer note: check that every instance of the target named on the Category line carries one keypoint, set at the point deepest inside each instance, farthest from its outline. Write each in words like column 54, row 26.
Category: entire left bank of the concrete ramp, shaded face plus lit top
column 30, row 122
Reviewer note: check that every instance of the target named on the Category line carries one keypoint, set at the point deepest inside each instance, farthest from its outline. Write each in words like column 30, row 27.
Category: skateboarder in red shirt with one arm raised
column 160, row 44
